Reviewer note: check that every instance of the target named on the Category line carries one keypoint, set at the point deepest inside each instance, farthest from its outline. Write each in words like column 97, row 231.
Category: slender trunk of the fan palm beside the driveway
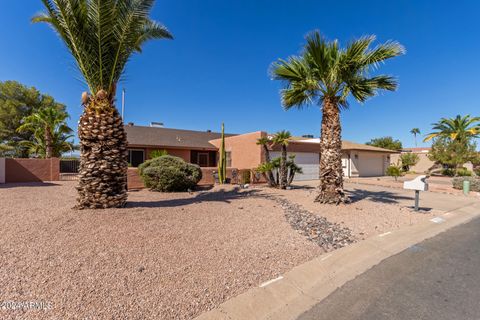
column 330, row 189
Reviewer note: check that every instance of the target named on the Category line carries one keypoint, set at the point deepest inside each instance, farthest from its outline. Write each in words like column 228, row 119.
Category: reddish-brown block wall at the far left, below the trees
column 32, row 170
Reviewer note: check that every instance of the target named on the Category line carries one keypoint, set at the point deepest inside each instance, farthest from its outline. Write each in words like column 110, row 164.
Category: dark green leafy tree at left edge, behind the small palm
column 18, row 101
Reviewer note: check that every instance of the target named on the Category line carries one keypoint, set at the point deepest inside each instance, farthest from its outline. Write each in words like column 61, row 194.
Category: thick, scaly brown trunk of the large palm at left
column 103, row 159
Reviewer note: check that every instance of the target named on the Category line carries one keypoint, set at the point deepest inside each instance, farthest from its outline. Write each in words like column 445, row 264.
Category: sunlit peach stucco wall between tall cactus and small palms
column 245, row 153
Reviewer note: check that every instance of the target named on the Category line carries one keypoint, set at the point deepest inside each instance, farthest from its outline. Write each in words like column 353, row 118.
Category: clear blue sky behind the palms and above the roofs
column 216, row 69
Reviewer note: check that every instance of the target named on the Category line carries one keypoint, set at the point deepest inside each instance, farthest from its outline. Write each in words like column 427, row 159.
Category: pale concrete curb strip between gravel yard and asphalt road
column 288, row 296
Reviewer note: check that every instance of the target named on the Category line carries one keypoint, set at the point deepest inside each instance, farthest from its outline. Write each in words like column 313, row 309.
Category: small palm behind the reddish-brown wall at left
column 48, row 125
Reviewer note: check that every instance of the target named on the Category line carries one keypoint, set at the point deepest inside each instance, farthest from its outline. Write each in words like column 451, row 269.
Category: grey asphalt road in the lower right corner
column 438, row 279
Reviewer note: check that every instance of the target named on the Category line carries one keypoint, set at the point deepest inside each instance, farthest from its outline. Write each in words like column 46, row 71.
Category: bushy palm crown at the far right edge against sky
column 459, row 129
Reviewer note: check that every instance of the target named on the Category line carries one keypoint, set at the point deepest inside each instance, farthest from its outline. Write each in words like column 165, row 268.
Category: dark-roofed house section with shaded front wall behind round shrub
column 191, row 146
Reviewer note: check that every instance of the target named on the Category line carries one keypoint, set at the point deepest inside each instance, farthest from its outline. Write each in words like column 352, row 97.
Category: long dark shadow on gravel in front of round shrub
column 208, row 196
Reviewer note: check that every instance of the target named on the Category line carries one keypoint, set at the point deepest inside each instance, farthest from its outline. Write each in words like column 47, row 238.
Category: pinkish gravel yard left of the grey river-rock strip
column 166, row 256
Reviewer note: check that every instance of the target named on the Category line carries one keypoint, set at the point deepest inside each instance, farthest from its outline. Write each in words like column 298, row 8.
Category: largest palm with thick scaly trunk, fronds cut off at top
column 102, row 36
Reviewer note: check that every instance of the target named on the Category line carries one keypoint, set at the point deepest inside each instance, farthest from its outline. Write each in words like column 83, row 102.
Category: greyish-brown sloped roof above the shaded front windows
column 175, row 138
